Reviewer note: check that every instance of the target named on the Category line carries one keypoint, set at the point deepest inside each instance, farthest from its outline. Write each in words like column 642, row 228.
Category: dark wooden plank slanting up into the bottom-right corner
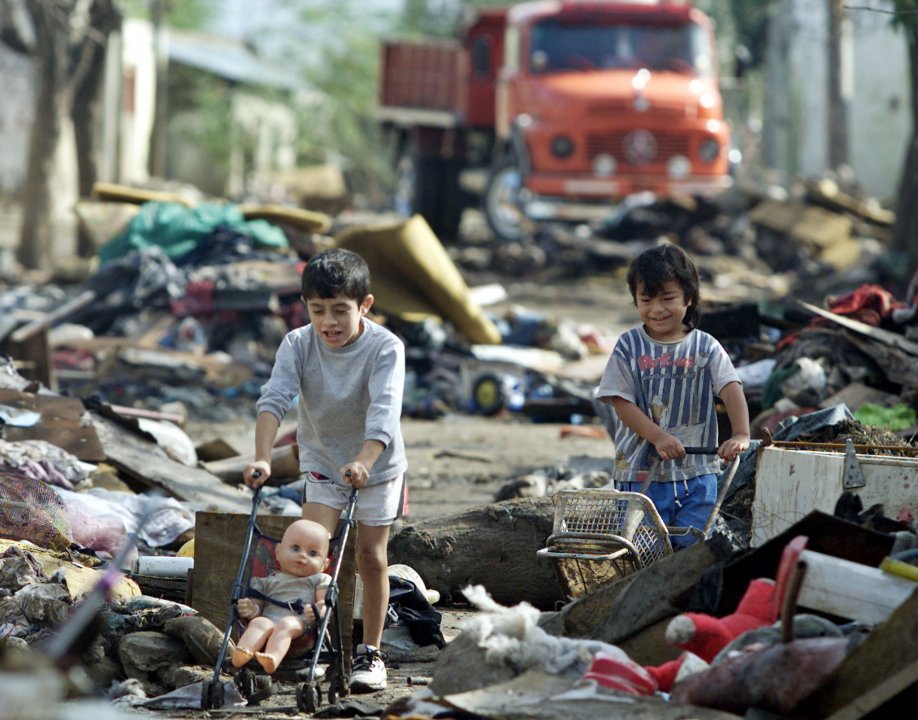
column 879, row 669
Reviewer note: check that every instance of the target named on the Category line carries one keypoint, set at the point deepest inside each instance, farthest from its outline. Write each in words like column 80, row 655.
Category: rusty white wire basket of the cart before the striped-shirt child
column 600, row 535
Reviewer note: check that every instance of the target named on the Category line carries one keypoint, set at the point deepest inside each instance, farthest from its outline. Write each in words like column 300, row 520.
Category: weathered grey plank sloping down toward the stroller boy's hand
column 147, row 464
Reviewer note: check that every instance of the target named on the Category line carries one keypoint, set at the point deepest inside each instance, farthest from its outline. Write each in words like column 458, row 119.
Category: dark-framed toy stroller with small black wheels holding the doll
column 255, row 685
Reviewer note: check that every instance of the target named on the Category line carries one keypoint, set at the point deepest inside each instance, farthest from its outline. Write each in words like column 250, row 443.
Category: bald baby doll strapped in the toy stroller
column 289, row 601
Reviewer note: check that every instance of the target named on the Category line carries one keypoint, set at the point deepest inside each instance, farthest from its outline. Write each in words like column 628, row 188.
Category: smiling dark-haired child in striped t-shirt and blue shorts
column 662, row 379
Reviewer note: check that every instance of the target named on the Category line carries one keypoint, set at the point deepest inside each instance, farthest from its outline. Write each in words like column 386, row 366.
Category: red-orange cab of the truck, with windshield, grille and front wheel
column 598, row 100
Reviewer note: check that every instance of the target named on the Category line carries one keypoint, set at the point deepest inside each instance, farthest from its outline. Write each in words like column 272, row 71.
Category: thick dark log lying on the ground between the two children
column 491, row 545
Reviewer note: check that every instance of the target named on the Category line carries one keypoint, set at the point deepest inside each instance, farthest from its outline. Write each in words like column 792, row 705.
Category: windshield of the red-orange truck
column 564, row 46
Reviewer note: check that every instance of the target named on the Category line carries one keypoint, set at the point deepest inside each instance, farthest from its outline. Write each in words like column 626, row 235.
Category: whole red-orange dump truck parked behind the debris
column 554, row 110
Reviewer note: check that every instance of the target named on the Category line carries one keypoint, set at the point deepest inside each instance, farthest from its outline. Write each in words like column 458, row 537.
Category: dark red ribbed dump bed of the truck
column 424, row 77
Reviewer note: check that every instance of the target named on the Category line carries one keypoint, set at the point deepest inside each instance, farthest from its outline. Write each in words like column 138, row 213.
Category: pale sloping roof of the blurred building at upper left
column 227, row 58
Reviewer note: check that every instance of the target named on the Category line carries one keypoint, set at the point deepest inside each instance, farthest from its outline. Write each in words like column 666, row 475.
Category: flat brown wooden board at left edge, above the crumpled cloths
column 60, row 424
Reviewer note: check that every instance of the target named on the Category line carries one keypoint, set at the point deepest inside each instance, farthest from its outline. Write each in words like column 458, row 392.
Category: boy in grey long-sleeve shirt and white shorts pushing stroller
column 349, row 374
